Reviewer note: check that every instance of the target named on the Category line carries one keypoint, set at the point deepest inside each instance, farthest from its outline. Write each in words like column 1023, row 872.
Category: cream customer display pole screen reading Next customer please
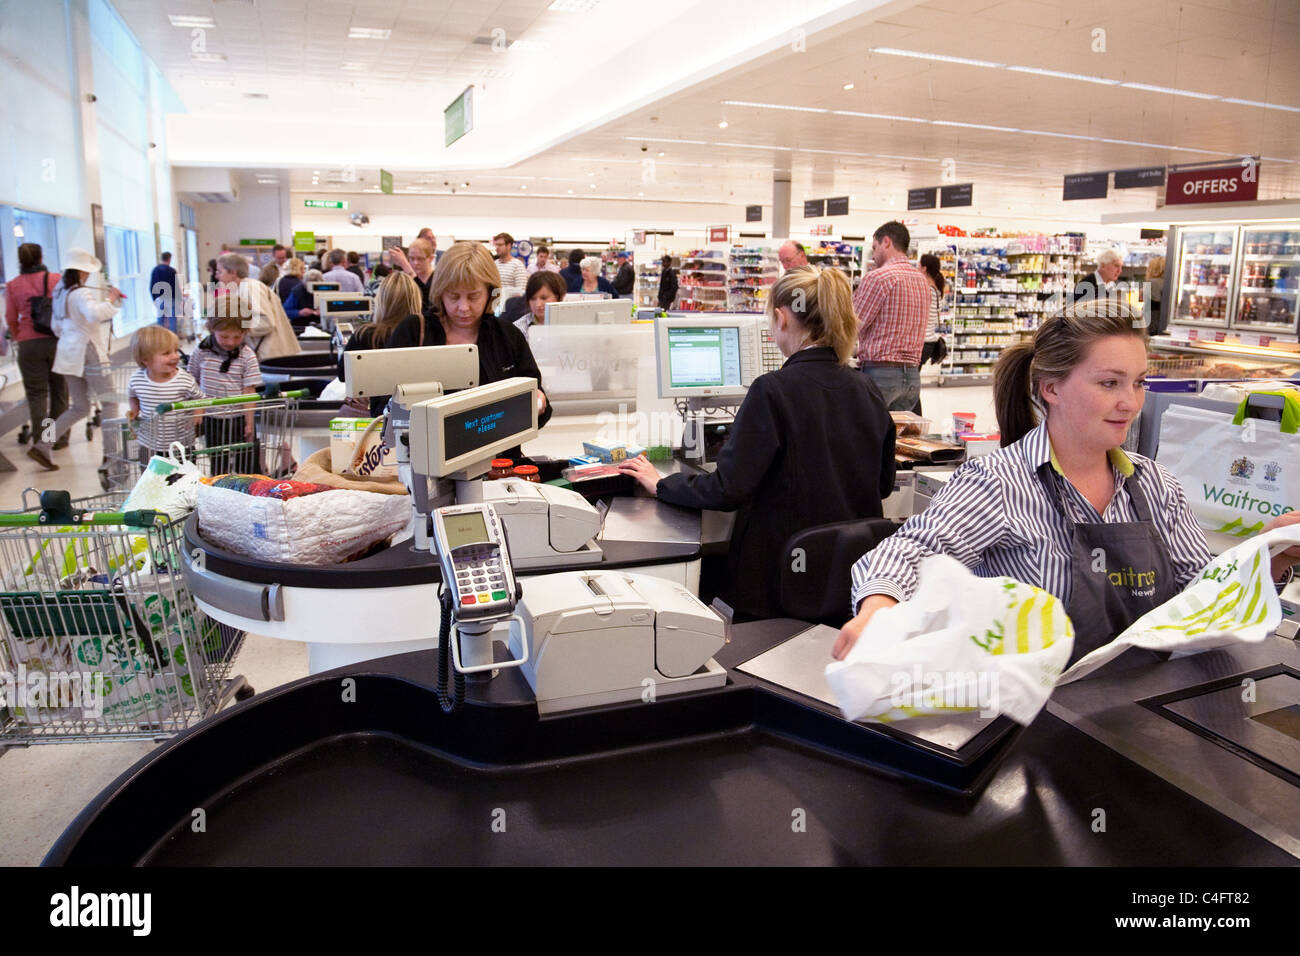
column 461, row 434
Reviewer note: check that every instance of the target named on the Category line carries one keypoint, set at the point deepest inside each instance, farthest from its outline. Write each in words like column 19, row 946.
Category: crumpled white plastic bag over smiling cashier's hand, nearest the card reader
column 961, row 644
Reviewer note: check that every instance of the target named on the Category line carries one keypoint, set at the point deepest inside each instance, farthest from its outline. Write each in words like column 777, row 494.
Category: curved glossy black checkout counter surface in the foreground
column 300, row 776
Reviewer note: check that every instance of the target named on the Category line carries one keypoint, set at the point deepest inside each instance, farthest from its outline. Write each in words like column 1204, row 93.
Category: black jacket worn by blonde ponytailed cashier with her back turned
column 813, row 444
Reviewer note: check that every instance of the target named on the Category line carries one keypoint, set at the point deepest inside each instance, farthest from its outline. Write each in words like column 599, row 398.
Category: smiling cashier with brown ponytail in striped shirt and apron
column 1060, row 496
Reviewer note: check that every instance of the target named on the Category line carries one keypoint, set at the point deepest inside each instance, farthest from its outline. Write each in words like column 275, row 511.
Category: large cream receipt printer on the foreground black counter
column 606, row 637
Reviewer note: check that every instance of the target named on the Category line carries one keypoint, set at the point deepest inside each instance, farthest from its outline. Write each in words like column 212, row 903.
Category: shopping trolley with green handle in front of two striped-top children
column 249, row 435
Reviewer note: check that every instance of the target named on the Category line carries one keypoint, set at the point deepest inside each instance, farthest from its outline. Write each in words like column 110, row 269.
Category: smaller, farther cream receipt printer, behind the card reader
column 547, row 525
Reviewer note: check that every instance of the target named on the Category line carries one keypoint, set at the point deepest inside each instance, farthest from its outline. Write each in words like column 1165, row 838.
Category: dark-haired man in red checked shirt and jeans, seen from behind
column 892, row 305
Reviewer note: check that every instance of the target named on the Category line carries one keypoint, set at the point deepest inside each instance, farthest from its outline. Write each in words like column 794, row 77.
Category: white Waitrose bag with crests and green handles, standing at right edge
column 1238, row 473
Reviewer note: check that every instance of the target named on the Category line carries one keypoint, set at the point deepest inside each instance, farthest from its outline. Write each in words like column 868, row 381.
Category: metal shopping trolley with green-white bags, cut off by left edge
column 99, row 635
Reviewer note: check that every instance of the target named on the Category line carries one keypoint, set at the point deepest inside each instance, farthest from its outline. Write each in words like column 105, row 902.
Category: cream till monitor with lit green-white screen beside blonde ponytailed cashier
column 716, row 357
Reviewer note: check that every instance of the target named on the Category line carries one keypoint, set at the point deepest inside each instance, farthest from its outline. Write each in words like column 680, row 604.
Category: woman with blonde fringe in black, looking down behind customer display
column 462, row 300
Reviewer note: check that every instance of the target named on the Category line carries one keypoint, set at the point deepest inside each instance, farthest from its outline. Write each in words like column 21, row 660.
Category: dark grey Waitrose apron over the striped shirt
column 1138, row 576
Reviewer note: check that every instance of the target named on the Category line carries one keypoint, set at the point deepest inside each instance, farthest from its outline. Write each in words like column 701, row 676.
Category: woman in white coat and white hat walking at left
column 83, row 322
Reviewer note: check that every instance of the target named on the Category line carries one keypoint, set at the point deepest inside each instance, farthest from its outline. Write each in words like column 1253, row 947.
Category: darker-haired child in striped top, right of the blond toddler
column 224, row 365
